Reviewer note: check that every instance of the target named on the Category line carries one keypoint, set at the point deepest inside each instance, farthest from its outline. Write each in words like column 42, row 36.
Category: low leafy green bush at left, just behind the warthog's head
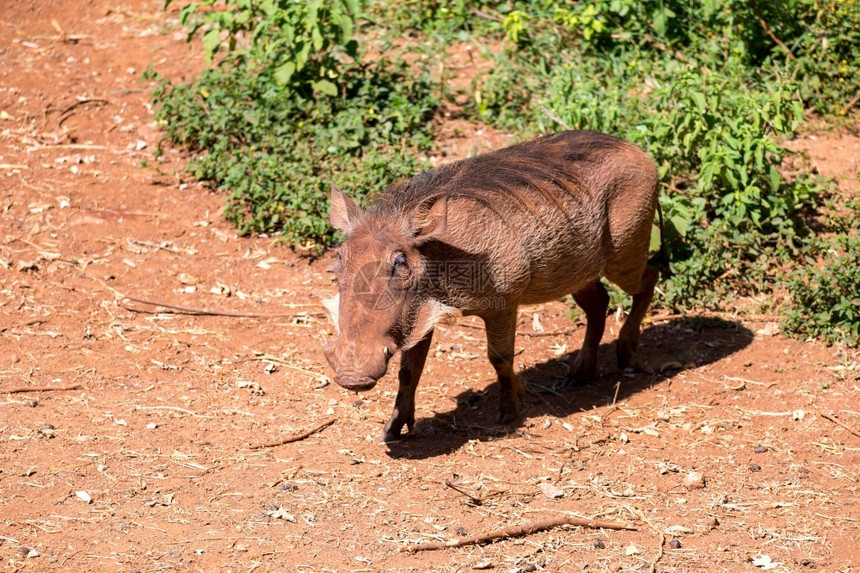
column 279, row 119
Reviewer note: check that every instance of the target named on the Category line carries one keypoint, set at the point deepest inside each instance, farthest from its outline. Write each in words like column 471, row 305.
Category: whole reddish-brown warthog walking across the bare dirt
column 527, row 224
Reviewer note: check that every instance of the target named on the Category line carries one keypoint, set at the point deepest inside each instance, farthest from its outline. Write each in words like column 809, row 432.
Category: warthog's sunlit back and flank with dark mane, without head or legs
column 544, row 217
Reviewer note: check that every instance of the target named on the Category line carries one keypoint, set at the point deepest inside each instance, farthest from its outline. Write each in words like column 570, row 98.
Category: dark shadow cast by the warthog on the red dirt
column 671, row 346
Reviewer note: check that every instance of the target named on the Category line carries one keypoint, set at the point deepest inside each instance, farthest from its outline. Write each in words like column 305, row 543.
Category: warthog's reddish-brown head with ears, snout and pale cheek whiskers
column 382, row 303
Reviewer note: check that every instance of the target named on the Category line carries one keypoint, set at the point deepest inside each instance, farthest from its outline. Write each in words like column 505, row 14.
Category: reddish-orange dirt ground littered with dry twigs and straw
column 141, row 455
